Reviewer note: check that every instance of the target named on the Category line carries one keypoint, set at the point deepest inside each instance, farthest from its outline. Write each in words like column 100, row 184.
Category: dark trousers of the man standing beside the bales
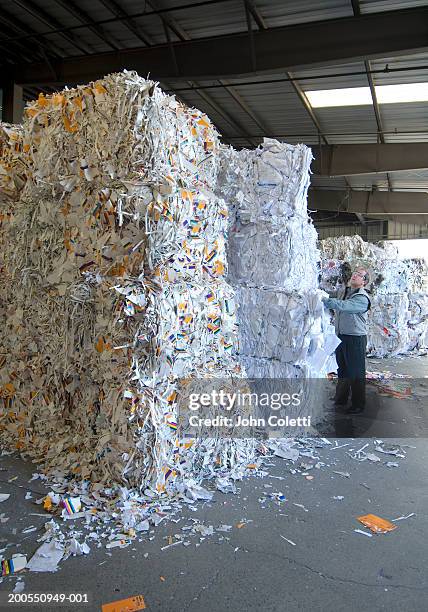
column 351, row 372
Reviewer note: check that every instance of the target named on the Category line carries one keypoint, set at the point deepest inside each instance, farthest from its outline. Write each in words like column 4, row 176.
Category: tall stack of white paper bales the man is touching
column 273, row 262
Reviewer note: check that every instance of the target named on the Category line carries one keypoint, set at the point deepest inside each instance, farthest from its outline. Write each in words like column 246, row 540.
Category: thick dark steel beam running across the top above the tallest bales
column 366, row 36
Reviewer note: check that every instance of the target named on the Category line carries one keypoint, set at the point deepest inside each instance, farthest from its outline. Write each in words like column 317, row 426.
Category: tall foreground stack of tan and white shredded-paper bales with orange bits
column 118, row 262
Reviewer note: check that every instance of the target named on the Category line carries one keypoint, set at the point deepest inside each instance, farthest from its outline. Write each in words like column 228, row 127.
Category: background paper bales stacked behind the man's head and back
column 398, row 318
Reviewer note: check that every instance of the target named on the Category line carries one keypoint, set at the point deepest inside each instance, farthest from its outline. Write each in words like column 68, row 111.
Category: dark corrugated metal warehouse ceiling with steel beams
column 249, row 65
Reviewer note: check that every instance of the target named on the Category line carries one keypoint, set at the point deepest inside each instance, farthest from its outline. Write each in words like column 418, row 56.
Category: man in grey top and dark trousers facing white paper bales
column 351, row 328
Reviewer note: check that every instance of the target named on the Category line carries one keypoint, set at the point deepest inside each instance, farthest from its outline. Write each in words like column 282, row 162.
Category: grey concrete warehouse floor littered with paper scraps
column 330, row 567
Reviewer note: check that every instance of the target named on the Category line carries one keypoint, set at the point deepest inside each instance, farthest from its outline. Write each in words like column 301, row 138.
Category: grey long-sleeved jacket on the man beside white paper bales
column 351, row 312
